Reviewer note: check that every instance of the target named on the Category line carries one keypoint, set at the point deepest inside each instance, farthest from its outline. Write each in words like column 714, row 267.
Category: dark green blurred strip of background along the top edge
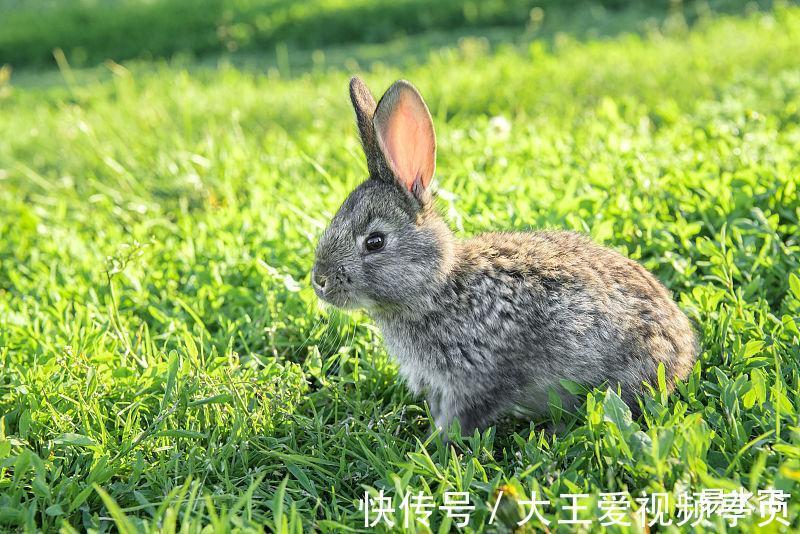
column 92, row 31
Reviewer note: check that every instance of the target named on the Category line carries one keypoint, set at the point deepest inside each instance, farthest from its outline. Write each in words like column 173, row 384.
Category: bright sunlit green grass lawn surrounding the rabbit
column 163, row 360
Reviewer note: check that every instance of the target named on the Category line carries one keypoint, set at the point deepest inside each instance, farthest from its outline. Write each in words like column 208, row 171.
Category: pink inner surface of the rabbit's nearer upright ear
column 408, row 141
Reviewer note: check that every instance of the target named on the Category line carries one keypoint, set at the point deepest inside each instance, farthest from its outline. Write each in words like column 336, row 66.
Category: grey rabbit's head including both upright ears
column 386, row 247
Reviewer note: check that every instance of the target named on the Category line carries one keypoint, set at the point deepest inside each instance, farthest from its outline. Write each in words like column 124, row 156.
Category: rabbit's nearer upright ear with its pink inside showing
column 404, row 131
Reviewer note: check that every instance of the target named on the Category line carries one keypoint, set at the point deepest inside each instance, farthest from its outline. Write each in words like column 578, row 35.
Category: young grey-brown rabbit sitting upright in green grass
column 486, row 327
